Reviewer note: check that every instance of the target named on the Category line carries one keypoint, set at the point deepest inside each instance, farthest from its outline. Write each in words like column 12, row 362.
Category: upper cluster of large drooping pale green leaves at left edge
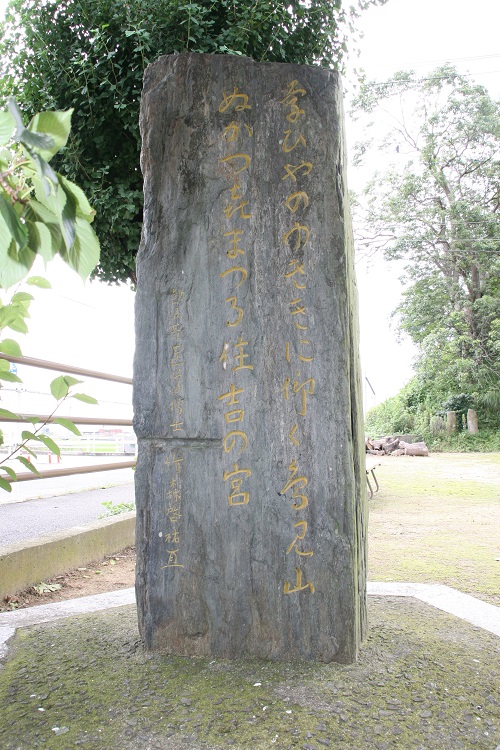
column 41, row 212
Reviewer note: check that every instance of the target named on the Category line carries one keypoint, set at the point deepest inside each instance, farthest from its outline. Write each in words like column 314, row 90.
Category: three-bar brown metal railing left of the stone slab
column 47, row 418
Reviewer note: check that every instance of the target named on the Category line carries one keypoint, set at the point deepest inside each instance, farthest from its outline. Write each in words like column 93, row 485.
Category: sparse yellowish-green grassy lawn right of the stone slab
column 437, row 520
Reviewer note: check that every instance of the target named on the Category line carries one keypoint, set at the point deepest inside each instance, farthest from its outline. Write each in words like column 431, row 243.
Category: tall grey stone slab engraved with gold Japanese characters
column 250, row 477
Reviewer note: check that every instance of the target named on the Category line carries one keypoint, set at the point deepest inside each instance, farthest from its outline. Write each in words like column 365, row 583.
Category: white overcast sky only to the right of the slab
column 420, row 36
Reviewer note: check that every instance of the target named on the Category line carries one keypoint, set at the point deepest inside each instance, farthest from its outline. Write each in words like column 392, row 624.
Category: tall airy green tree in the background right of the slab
column 437, row 208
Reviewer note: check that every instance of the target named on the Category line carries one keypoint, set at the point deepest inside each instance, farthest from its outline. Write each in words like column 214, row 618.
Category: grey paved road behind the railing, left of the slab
column 27, row 520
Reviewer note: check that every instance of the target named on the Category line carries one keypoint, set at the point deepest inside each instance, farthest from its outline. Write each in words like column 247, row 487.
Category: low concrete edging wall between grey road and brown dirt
column 25, row 563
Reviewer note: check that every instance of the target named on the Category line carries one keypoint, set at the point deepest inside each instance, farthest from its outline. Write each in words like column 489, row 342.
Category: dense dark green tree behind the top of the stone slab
column 91, row 54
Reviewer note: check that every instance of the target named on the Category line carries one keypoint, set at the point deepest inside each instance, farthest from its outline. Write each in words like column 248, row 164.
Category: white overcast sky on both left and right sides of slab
column 91, row 325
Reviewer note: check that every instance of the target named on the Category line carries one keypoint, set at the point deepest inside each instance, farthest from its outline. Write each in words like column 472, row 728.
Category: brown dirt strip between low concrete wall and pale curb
column 110, row 574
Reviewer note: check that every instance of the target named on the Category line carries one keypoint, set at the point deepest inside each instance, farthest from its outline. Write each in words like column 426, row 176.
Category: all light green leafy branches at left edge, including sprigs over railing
column 41, row 213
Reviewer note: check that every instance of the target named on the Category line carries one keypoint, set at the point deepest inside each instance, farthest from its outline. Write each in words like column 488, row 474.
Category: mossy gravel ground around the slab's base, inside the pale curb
column 425, row 681
